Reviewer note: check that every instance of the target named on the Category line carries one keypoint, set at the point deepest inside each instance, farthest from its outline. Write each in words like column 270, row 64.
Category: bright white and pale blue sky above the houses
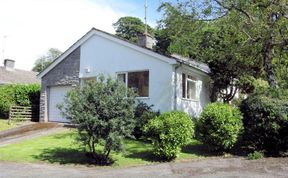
column 28, row 28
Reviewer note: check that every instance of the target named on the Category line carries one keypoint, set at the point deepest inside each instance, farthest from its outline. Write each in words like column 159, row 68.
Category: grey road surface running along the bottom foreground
column 212, row 167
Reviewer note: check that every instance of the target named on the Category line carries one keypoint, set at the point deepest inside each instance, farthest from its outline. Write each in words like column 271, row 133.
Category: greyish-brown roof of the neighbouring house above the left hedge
column 17, row 76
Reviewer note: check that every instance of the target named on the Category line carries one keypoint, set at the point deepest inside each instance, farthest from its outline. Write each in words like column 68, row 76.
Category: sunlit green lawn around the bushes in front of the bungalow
column 61, row 148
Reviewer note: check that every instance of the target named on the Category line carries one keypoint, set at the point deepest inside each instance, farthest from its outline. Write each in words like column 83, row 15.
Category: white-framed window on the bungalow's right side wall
column 188, row 87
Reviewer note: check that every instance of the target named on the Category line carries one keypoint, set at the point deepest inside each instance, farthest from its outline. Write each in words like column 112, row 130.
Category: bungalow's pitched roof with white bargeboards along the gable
column 189, row 62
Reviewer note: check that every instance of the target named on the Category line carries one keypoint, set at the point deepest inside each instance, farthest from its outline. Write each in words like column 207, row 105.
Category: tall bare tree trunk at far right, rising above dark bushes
column 268, row 57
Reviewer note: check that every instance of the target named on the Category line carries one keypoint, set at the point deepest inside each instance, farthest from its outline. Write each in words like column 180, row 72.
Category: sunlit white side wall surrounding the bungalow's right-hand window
column 193, row 107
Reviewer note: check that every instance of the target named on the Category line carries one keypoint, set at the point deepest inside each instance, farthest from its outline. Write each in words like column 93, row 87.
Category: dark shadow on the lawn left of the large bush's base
column 64, row 156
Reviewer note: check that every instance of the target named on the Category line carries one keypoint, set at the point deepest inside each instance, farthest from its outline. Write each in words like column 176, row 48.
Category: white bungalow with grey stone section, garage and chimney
column 167, row 82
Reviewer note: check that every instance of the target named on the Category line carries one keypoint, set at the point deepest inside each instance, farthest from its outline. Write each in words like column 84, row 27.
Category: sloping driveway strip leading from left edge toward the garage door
column 29, row 135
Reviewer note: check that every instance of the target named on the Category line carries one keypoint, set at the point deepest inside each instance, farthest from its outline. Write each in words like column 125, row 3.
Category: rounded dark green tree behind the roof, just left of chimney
column 130, row 27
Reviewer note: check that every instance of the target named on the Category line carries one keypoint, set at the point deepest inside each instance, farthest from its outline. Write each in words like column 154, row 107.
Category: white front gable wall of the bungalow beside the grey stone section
column 101, row 55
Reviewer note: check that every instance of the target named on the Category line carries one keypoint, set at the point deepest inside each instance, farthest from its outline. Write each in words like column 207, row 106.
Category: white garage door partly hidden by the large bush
column 56, row 96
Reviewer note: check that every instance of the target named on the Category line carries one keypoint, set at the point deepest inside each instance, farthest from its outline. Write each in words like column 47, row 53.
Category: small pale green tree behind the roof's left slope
column 45, row 60
